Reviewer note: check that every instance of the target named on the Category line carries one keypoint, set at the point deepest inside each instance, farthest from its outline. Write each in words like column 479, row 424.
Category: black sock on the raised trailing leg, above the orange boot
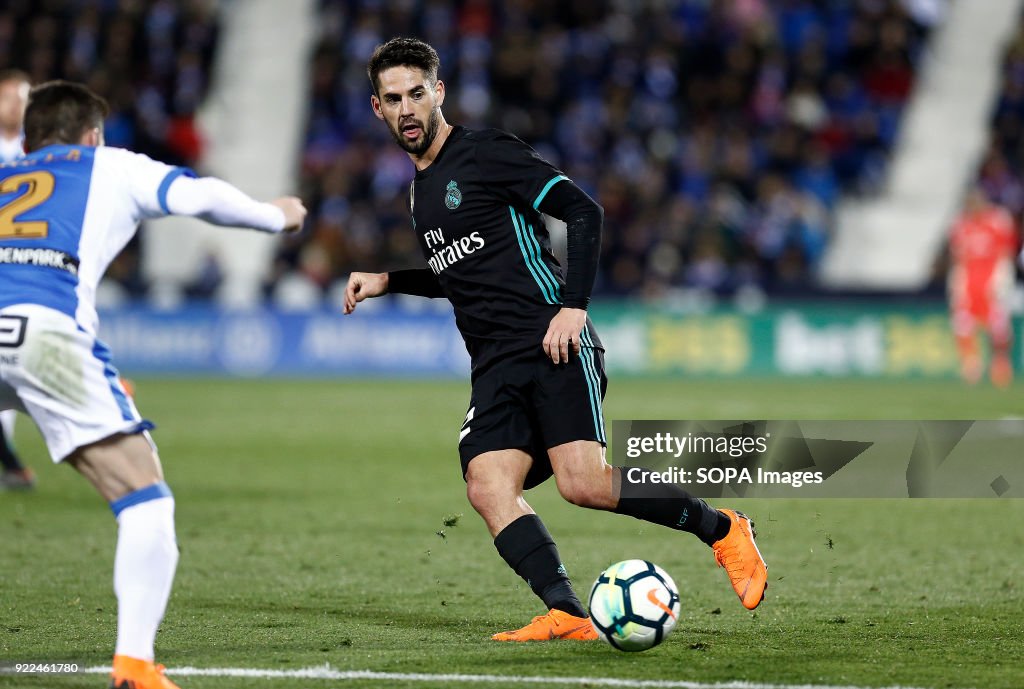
column 668, row 505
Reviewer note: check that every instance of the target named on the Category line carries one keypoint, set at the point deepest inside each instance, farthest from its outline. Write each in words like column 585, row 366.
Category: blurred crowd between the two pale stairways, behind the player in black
column 718, row 135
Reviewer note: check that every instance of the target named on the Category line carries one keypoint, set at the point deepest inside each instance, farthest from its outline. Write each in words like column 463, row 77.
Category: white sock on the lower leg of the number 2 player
column 144, row 572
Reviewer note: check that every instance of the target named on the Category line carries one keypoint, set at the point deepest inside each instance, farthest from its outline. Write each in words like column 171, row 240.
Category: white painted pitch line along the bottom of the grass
column 328, row 673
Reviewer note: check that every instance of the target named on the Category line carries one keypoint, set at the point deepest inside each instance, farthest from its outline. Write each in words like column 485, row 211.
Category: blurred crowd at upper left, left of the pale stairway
column 150, row 59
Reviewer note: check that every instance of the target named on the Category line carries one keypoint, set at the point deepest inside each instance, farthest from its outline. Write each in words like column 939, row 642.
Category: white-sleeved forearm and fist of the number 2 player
column 223, row 204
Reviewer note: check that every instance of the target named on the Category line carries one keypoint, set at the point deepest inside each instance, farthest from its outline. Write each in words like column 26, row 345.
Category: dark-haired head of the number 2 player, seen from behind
column 60, row 112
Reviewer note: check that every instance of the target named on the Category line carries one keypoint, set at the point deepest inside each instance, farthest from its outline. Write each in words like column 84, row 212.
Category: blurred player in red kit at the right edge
column 983, row 247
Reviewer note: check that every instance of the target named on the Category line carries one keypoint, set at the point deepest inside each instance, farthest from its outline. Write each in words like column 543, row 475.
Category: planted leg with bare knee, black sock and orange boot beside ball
column 495, row 485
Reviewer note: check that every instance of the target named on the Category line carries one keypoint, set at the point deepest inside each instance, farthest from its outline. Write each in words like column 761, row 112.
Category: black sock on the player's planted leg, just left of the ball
column 530, row 550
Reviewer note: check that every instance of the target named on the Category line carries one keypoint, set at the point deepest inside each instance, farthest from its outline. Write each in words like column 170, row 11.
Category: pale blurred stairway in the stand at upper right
column 888, row 242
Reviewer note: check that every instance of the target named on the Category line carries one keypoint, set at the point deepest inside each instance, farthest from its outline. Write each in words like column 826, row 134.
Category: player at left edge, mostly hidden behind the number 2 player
column 14, row 99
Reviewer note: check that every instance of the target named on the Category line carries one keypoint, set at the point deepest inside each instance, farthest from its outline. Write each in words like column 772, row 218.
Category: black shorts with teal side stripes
column 529, row 403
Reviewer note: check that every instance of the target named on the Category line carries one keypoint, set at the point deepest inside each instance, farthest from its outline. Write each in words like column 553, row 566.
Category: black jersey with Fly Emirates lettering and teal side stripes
column 476, row 216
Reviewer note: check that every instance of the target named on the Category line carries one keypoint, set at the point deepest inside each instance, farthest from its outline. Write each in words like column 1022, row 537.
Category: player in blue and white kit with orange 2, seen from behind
column 67, row 209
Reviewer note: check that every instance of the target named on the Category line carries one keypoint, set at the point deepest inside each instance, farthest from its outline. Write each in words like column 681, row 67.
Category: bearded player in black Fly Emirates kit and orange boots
column 538, row 372
